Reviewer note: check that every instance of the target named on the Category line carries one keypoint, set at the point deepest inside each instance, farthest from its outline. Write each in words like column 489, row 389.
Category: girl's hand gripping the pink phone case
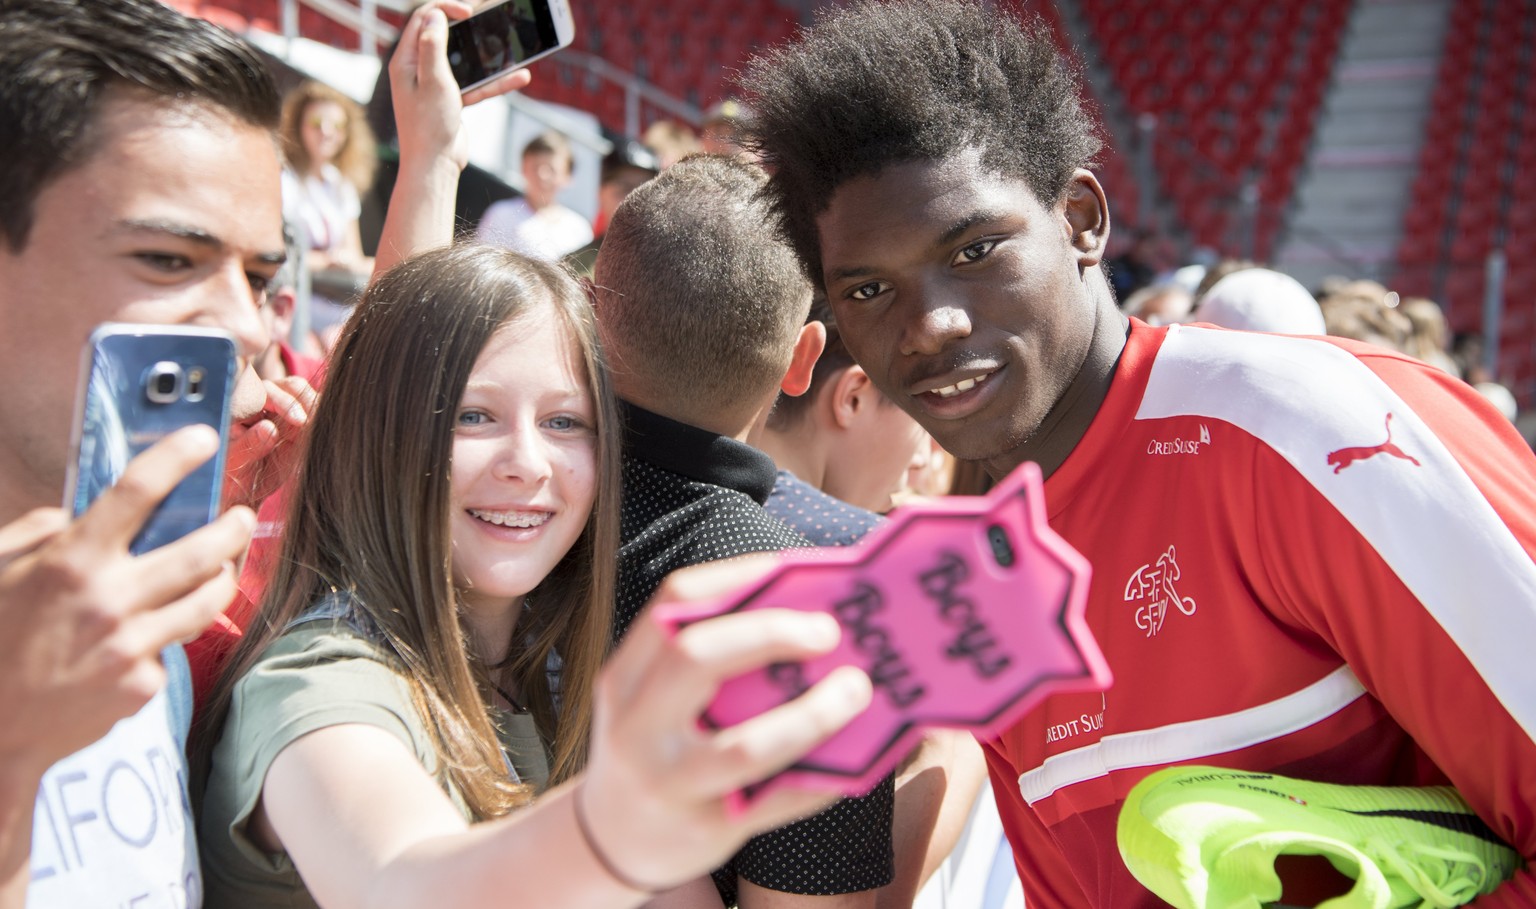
column 657, row 784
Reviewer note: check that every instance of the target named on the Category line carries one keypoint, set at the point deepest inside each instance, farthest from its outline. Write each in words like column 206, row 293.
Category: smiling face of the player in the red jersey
column 961, row 294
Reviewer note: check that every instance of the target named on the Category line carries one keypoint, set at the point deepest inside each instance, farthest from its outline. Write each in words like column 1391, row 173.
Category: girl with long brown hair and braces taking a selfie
column 428, row 655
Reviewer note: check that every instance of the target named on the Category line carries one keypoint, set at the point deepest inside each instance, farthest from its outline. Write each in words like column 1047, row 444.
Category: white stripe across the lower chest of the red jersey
column 1194, row 739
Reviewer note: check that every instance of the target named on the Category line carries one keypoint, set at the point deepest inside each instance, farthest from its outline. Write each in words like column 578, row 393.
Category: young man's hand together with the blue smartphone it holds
column 93, row 593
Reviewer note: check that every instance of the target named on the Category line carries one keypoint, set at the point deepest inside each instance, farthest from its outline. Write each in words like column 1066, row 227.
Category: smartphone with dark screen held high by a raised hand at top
column 508, row 36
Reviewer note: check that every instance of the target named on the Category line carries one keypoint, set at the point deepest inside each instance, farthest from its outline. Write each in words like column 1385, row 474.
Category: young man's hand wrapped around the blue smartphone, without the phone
column 87, row 621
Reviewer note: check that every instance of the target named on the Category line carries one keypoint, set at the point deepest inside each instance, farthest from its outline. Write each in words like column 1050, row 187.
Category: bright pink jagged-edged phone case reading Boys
column 965, row 613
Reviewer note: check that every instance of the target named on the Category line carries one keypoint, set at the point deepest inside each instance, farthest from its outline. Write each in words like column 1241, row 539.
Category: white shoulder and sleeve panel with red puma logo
column 1308, row 398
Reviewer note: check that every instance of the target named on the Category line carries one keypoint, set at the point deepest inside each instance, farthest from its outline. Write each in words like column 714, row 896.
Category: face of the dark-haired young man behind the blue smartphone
column 174, row 220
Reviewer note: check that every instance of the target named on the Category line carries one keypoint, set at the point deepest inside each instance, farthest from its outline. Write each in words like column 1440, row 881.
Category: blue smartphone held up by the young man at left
column 137, row 386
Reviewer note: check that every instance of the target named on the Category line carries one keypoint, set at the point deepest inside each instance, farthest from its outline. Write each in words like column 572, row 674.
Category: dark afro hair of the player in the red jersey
column 881, row 84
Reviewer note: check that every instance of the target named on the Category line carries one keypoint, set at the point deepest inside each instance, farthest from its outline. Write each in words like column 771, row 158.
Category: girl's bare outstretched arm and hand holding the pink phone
column 368, row 827
